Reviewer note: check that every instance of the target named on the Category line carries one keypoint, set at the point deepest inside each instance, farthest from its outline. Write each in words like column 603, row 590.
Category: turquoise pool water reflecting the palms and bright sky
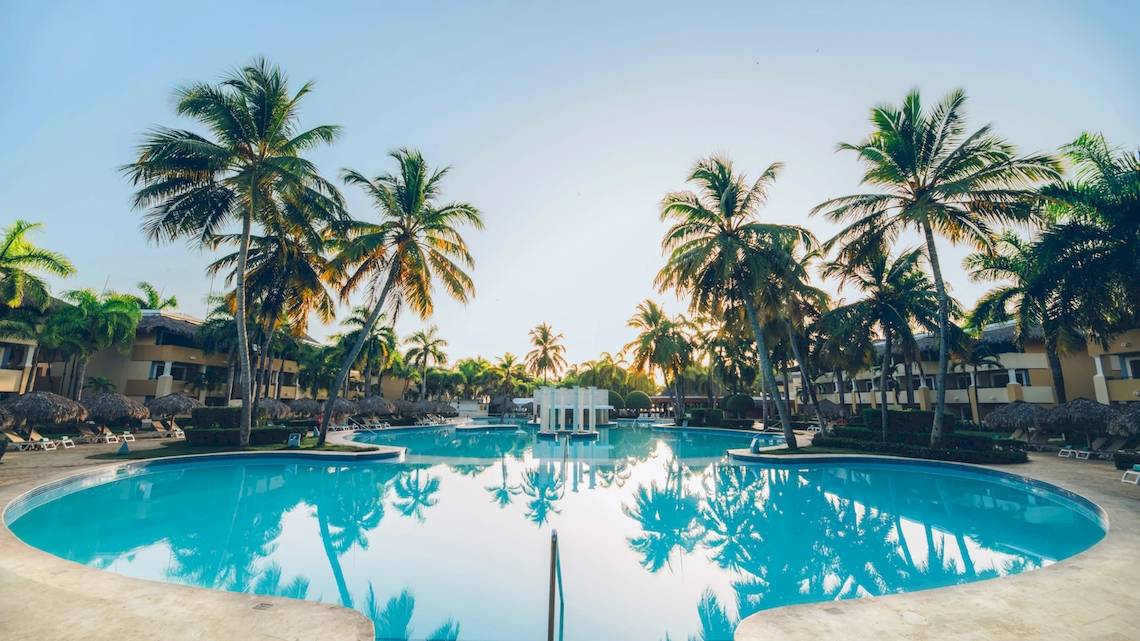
column 662, row 538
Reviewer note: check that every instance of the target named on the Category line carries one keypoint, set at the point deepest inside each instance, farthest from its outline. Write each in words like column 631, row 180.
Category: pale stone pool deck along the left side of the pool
column 50, row 599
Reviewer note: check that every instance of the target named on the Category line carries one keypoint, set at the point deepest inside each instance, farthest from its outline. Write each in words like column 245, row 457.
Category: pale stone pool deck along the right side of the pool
column 1094, row 596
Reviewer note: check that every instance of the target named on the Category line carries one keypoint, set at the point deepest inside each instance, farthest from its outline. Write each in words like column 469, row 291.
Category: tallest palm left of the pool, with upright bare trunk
column 249, row 172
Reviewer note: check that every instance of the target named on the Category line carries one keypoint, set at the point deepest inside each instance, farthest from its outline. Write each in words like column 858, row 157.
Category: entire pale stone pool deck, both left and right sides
column 1090, row 597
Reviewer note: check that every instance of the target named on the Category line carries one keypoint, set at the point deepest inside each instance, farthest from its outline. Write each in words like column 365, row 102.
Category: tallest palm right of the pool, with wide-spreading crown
column 940, row 180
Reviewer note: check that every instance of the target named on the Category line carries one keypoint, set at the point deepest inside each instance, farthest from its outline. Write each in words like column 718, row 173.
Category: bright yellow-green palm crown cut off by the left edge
column 22, row 265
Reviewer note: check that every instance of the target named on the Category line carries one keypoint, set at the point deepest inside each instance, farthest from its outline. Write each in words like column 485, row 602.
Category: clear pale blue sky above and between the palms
column 566, row 124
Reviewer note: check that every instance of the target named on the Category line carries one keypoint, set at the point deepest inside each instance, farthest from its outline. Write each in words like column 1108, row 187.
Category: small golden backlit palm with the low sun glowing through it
column 661, row 345
